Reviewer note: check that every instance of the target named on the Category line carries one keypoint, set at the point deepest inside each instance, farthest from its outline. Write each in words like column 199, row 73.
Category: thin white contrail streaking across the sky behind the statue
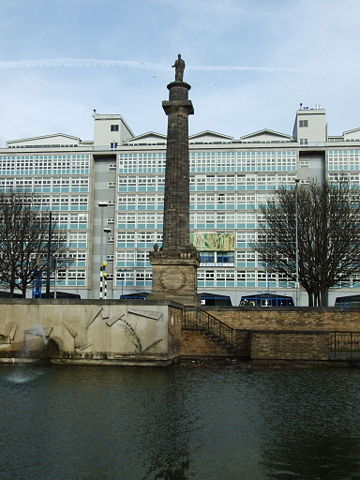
column 98, row 63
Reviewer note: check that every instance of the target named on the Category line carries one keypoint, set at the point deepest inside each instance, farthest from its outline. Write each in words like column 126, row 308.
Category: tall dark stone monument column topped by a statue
column 175, row 264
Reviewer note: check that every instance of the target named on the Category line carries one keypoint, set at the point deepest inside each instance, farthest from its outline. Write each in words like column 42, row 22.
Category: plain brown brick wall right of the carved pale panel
column 275, row 334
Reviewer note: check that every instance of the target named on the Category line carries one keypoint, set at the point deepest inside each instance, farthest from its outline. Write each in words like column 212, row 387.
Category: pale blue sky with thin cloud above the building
column 249, row 62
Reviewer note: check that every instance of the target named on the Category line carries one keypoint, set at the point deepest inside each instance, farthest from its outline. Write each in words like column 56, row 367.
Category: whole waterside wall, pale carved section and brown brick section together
column 148, row 333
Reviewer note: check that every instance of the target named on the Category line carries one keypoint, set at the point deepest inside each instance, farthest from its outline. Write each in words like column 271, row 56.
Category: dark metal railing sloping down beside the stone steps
column 198, row 319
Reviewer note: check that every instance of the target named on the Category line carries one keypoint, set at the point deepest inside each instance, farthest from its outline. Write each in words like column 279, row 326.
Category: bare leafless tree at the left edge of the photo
column 27, row 239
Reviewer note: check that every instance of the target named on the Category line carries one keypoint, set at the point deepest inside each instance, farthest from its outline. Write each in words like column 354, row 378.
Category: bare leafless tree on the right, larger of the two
column 327, row 218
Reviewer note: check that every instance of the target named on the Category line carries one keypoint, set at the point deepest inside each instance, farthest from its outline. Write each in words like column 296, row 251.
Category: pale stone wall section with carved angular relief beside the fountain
column 92, row 330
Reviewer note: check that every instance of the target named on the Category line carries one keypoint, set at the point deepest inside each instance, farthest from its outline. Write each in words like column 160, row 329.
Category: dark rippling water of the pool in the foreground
column 88, row 423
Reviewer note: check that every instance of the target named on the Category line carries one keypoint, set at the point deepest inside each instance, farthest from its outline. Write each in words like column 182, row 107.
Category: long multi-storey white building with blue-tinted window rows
column 230, row 178
